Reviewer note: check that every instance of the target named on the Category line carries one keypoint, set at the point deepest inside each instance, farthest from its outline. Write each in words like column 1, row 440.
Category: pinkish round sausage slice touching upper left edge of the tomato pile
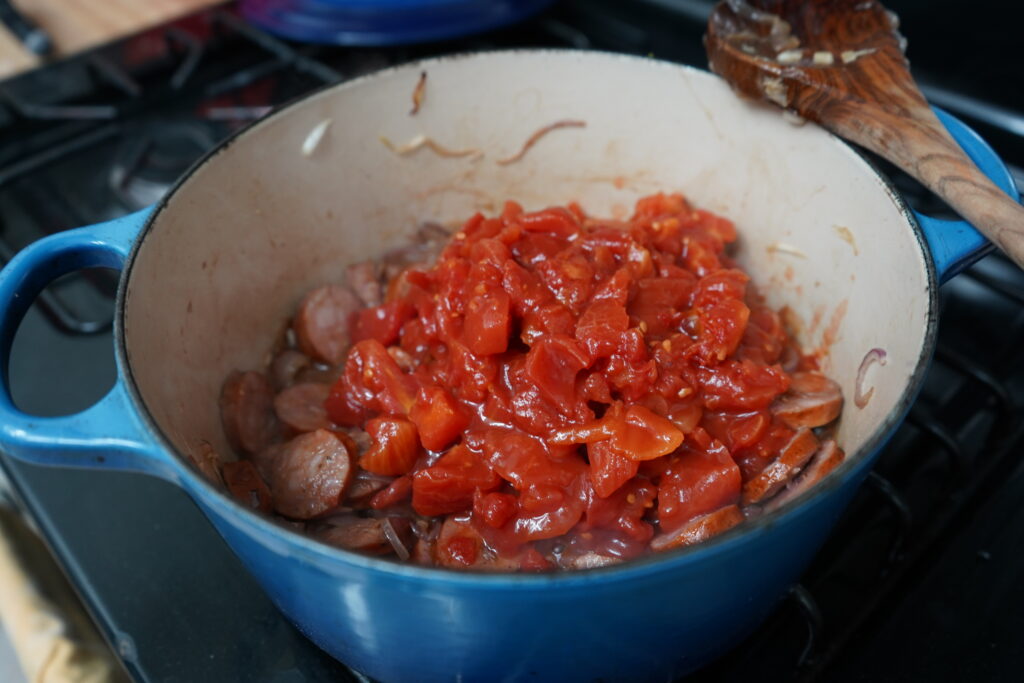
column 323, row 322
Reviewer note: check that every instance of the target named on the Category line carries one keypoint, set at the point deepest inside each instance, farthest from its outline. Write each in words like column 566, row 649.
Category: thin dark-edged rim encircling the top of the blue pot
column 198, row 487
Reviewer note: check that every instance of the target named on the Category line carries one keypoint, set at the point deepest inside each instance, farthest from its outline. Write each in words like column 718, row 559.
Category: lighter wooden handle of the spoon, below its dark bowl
column 923, row 148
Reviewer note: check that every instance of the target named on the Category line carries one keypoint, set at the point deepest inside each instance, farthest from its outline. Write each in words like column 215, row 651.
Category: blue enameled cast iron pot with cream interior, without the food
column 211, row 273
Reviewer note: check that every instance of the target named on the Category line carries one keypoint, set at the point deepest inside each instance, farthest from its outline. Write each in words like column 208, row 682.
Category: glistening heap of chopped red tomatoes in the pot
column 556, row 388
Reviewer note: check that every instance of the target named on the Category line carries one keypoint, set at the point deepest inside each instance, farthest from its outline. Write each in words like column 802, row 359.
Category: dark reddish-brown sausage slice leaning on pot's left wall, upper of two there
column 247, row 412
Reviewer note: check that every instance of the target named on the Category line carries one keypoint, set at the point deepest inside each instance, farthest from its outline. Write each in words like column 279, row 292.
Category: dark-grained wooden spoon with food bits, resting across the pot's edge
column 841, row 64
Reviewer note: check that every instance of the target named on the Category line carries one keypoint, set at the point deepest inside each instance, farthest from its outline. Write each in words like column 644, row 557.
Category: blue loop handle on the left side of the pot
column 110, row 434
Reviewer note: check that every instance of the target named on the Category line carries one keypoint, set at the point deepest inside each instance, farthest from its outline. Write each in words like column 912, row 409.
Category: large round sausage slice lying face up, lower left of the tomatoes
column 311, row 475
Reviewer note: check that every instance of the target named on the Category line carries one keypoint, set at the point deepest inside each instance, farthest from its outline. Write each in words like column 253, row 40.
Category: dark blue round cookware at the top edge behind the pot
column 383, row 22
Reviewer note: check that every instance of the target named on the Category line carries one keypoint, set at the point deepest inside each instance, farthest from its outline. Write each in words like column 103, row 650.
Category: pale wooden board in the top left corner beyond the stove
column 78, row 25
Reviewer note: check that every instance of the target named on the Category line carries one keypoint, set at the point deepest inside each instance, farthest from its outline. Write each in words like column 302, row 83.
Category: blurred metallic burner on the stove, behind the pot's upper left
column 149, row 161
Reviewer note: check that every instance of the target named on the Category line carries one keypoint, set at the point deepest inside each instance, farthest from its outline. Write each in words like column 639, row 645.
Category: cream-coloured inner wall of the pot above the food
column 274, row 214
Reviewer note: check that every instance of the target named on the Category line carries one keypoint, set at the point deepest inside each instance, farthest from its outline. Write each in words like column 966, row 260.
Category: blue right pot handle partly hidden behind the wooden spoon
column 955, row 244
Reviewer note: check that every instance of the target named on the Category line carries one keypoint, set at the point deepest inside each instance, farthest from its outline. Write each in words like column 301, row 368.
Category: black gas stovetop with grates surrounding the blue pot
column 919, row 582
